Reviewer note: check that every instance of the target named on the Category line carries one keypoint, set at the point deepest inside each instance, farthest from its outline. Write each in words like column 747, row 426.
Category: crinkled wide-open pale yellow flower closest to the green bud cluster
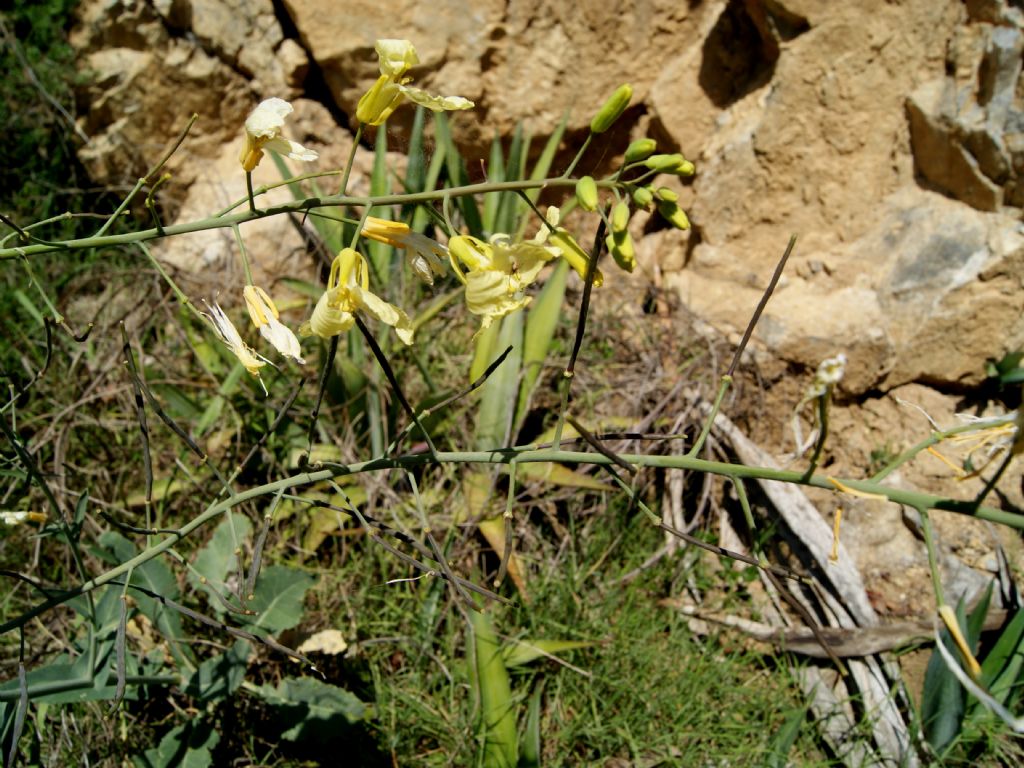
column 498, row 272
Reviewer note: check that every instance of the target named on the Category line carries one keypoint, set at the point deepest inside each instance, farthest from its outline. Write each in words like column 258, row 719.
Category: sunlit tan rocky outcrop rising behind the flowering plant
column 888, row 137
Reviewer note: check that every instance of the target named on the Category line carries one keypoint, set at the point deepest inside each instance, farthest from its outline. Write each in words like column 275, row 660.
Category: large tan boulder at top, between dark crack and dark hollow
column 529, row 62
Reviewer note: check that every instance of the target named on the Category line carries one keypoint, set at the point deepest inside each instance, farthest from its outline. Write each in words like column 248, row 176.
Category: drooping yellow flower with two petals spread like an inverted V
column 348, row 292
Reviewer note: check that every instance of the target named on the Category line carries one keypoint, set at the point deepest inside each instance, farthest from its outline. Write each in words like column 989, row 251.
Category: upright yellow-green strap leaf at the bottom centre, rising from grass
column 498, row 721
